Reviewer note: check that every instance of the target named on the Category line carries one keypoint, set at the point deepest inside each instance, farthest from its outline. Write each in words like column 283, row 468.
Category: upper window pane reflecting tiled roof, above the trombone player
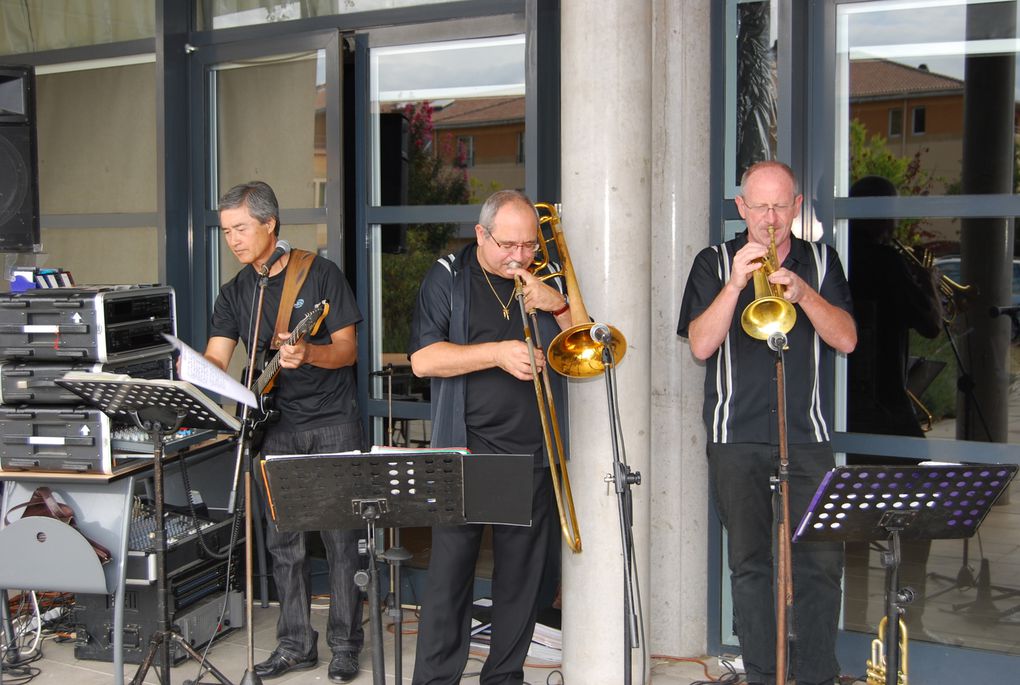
column 425, row 99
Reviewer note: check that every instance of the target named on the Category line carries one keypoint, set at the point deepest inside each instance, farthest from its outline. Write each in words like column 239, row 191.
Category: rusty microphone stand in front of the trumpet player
column 781, row 485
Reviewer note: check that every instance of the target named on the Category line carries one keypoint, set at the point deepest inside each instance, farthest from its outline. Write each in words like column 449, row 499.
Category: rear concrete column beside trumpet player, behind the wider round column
column 678, row 478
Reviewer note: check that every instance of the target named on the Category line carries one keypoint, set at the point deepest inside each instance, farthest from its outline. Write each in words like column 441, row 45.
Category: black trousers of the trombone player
column 519, row 564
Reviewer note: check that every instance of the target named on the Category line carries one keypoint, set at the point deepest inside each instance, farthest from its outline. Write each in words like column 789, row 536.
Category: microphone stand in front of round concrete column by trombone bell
column 623, row 479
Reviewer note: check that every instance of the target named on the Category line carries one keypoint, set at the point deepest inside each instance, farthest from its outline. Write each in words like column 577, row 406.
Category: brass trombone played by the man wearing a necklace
column 573, row 353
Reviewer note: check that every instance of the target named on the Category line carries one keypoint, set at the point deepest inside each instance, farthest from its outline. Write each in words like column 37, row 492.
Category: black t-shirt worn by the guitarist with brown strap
column 309, row 397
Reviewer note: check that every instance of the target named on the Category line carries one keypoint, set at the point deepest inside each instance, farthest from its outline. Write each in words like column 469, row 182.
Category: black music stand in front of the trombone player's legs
column 415, row 488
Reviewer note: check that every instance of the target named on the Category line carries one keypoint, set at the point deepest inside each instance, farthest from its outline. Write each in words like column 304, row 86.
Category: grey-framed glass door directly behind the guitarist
column 269, row 111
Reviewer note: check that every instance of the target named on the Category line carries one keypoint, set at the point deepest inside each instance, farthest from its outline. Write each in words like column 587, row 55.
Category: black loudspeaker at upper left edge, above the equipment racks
column 19, row 161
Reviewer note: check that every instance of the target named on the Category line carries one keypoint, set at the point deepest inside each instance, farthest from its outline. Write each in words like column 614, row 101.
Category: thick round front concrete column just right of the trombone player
column 606, row 157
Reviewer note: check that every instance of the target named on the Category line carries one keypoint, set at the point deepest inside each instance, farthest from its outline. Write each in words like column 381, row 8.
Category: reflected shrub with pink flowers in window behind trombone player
column 431, row 182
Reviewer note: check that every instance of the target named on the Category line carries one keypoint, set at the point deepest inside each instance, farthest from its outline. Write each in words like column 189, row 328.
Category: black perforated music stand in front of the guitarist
column 160, row 408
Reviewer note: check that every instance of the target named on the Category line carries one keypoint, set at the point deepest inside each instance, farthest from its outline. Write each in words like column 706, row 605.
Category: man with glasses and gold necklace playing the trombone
column 468, row 335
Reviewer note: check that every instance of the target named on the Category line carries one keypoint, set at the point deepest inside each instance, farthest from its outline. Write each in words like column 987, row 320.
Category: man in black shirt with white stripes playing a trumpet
column 741, row 411
